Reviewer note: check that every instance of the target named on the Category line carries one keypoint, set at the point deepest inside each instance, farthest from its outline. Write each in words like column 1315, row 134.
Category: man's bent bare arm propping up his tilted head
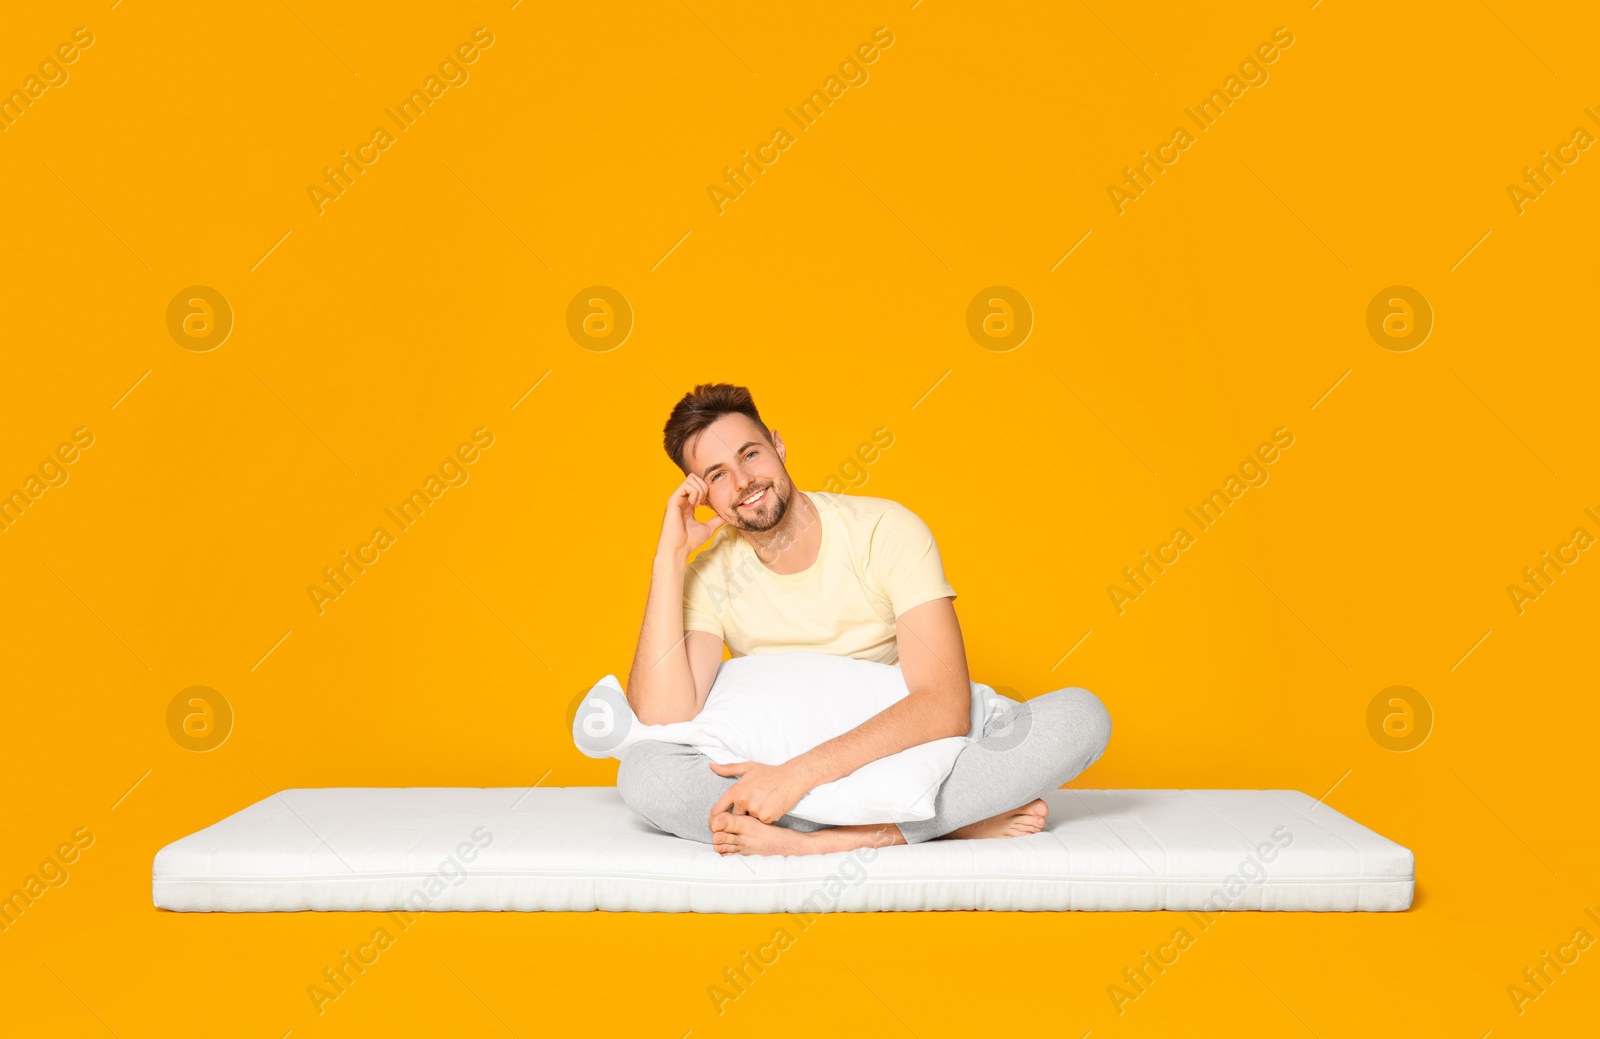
column 674, row 670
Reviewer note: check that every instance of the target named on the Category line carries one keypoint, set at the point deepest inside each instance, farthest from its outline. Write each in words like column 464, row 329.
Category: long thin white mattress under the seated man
column 582, row 849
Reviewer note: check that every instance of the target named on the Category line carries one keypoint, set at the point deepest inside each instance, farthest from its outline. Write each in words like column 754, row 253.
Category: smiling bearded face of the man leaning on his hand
column 738, row 463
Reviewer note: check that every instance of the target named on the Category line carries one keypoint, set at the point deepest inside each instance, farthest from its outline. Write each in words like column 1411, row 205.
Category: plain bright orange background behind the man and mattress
column 433, row 295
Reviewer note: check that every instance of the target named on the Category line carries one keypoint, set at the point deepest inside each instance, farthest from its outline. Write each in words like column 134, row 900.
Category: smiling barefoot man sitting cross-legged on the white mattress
column 831, row 574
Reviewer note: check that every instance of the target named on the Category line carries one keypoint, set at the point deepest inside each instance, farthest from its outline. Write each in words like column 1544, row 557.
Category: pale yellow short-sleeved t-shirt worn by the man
column 878, row 561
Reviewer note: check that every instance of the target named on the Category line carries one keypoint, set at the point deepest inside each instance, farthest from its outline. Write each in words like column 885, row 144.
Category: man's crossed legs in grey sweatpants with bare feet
column 993, row 792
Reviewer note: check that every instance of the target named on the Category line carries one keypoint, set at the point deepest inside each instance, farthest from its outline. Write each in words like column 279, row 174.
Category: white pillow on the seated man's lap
column 774, row 707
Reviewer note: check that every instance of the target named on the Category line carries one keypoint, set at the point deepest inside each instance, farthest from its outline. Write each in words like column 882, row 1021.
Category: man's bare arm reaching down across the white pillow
column 934, row 660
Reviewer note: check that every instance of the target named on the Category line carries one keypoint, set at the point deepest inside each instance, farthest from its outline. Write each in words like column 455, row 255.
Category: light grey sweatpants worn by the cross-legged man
column 1036, row 748
